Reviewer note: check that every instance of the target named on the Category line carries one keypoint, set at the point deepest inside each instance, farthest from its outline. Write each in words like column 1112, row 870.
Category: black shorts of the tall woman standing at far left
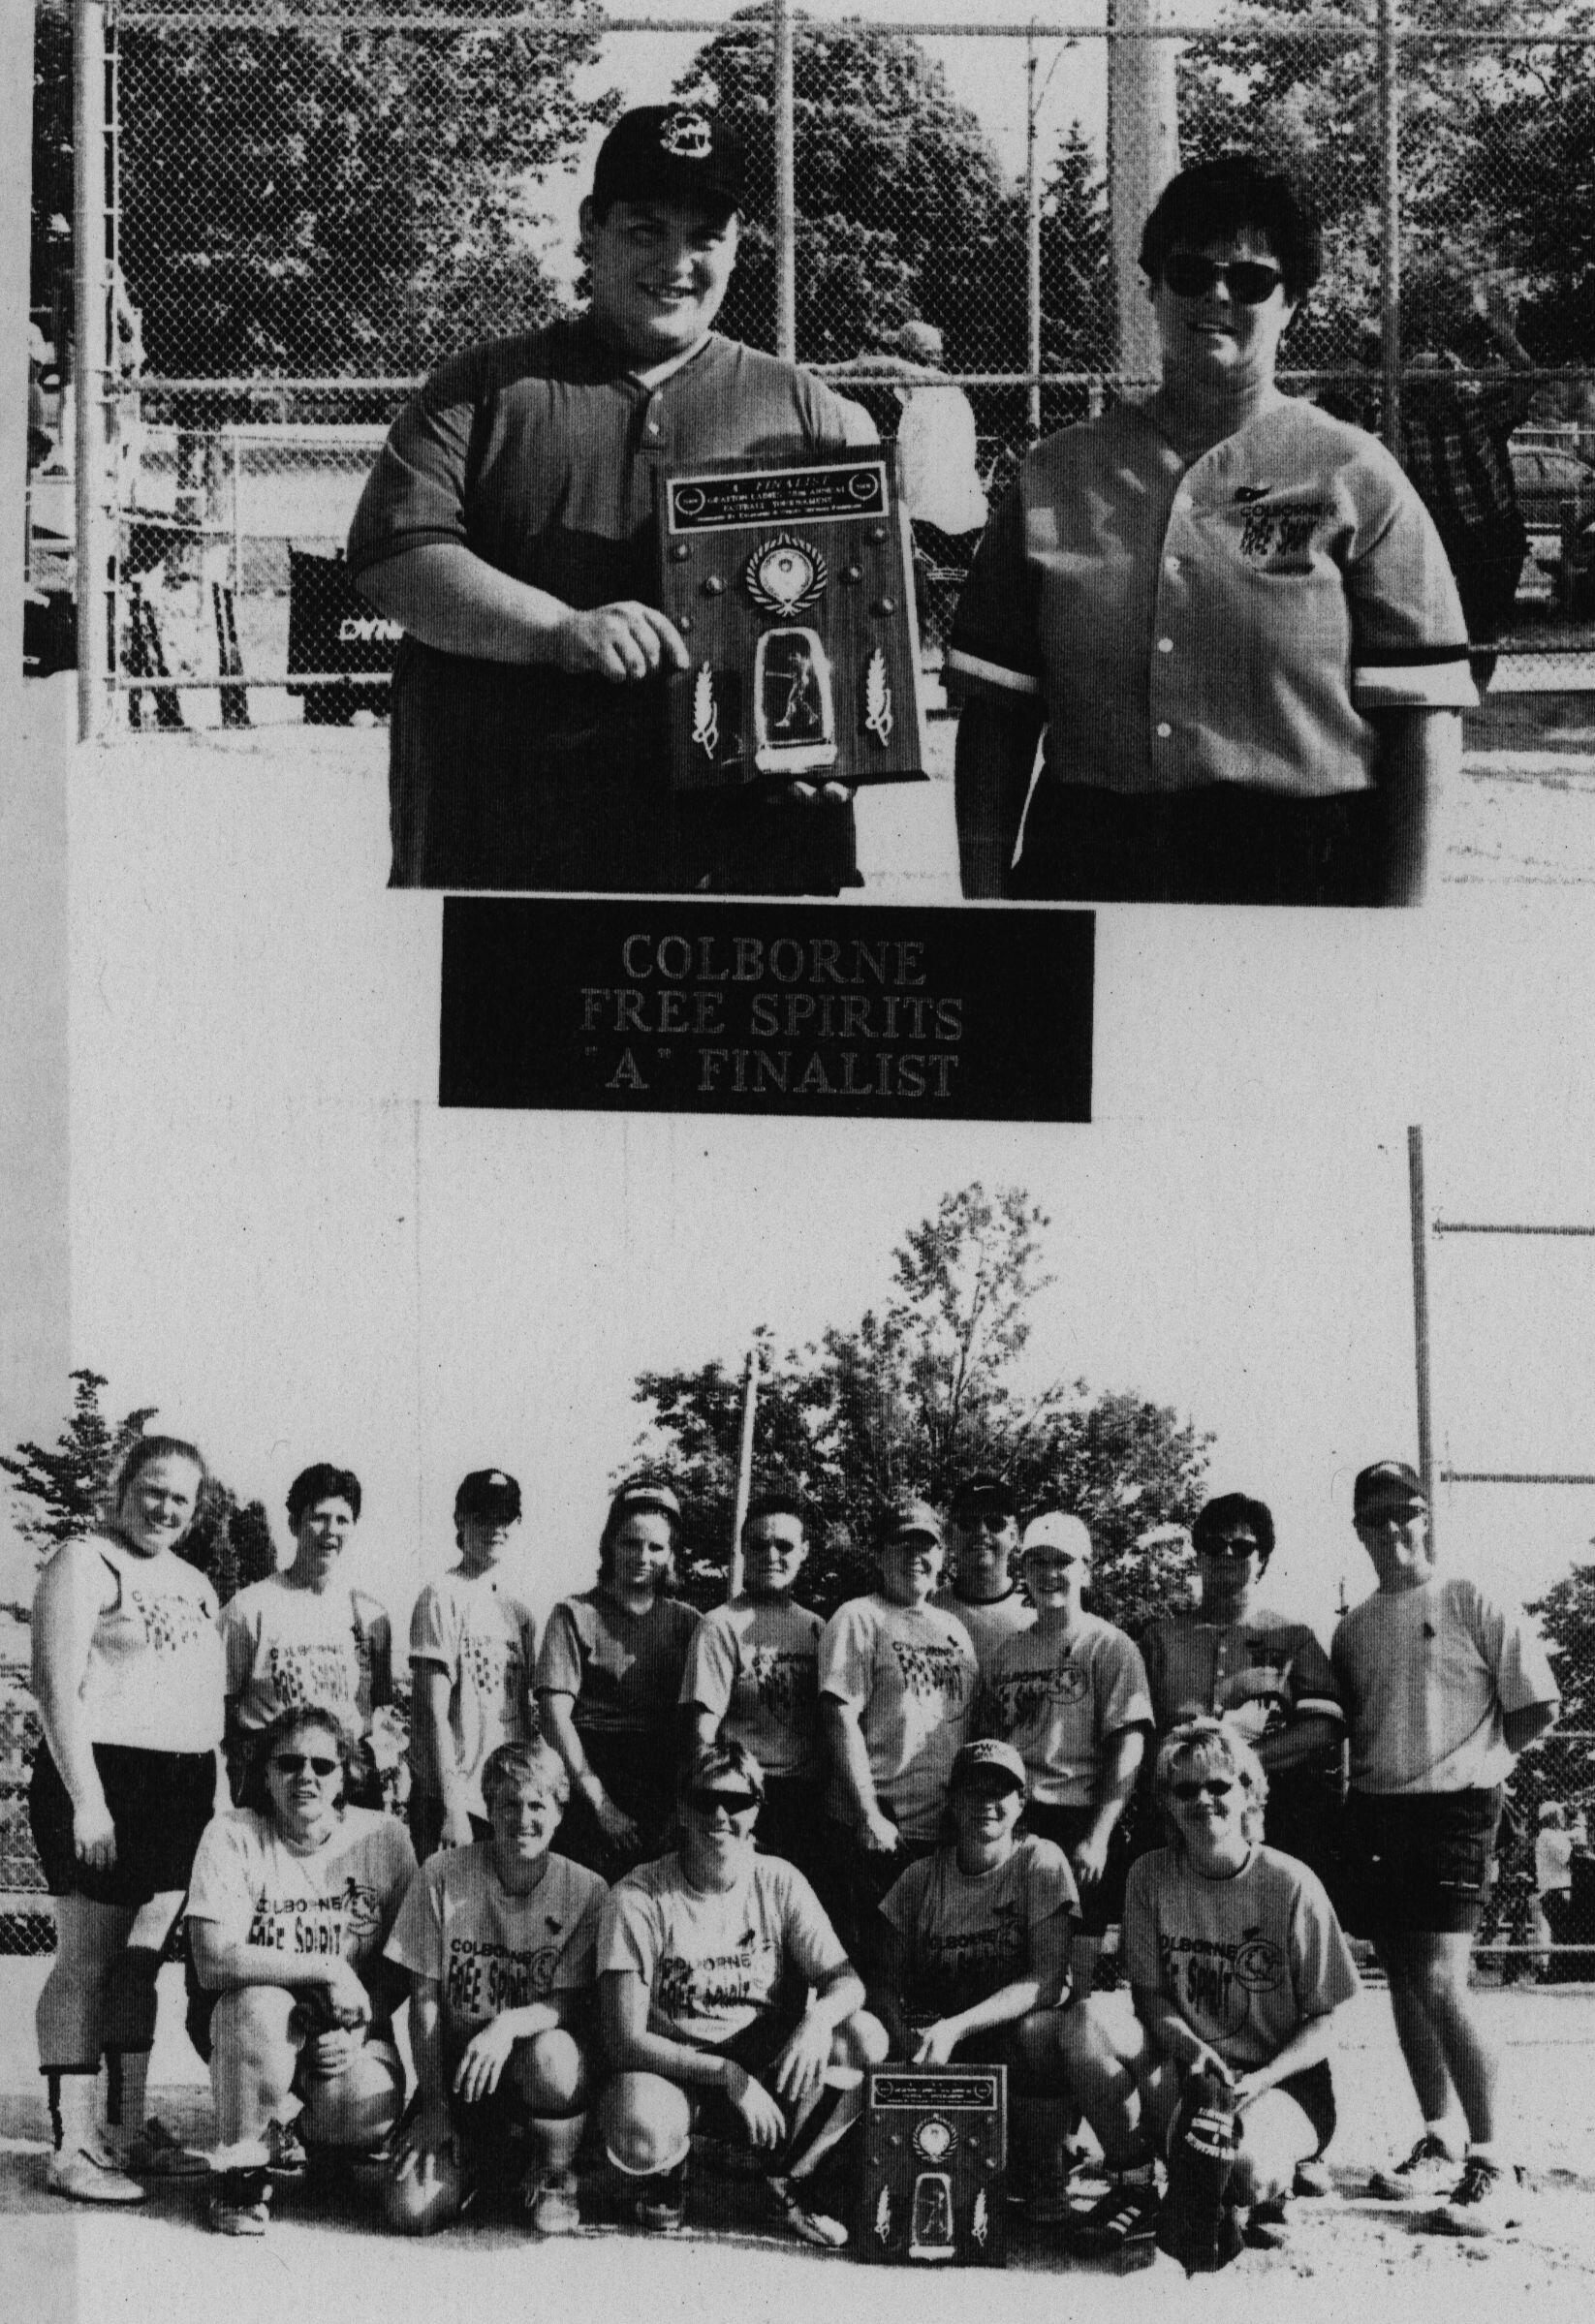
column 159, row 1800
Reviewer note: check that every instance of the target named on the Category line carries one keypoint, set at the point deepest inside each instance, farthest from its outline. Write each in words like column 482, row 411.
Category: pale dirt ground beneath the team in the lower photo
column 324, row 2260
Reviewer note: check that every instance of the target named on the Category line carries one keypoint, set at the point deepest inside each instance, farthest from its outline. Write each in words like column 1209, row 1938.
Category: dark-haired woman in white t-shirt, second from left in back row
column 299, row 1637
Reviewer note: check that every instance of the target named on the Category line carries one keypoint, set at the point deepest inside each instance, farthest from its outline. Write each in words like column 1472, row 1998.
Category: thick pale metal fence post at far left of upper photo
column 92, row 366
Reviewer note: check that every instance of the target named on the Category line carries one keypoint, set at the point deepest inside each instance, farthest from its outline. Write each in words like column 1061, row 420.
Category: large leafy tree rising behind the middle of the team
column 915, row 1398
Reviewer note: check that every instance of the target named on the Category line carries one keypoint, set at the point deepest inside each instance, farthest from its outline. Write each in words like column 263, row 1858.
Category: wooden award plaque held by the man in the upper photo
column 794, row 594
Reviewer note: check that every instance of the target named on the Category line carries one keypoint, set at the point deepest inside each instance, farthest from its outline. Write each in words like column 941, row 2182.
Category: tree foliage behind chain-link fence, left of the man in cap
column 327, row 201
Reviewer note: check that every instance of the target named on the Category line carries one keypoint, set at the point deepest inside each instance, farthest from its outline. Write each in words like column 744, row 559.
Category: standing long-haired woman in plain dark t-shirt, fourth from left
column 610, row 1681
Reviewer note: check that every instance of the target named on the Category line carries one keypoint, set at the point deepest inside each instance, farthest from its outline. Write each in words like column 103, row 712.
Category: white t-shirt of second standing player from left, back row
column 289, row 1649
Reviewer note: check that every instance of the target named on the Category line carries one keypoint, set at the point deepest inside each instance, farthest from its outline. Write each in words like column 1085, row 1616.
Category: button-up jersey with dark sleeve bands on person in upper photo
column 1224, row 622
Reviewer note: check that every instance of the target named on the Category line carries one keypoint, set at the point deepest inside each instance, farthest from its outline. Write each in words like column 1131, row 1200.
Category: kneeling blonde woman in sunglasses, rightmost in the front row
column 1238, row 1970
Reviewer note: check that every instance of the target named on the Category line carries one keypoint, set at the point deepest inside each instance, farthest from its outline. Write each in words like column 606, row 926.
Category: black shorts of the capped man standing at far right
column 1417, row 1863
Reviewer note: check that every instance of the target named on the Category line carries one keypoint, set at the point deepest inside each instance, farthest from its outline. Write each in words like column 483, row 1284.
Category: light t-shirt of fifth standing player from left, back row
column 757, row 1667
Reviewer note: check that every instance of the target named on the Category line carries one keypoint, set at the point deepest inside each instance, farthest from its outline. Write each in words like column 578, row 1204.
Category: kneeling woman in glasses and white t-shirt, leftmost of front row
column 289, row 1909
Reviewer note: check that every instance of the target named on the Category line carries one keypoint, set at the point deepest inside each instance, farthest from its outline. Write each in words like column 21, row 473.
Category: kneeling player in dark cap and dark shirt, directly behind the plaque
column 973, row 1956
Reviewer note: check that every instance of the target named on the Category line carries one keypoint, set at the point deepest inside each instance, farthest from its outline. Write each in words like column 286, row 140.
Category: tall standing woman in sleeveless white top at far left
column 127, row 1674
